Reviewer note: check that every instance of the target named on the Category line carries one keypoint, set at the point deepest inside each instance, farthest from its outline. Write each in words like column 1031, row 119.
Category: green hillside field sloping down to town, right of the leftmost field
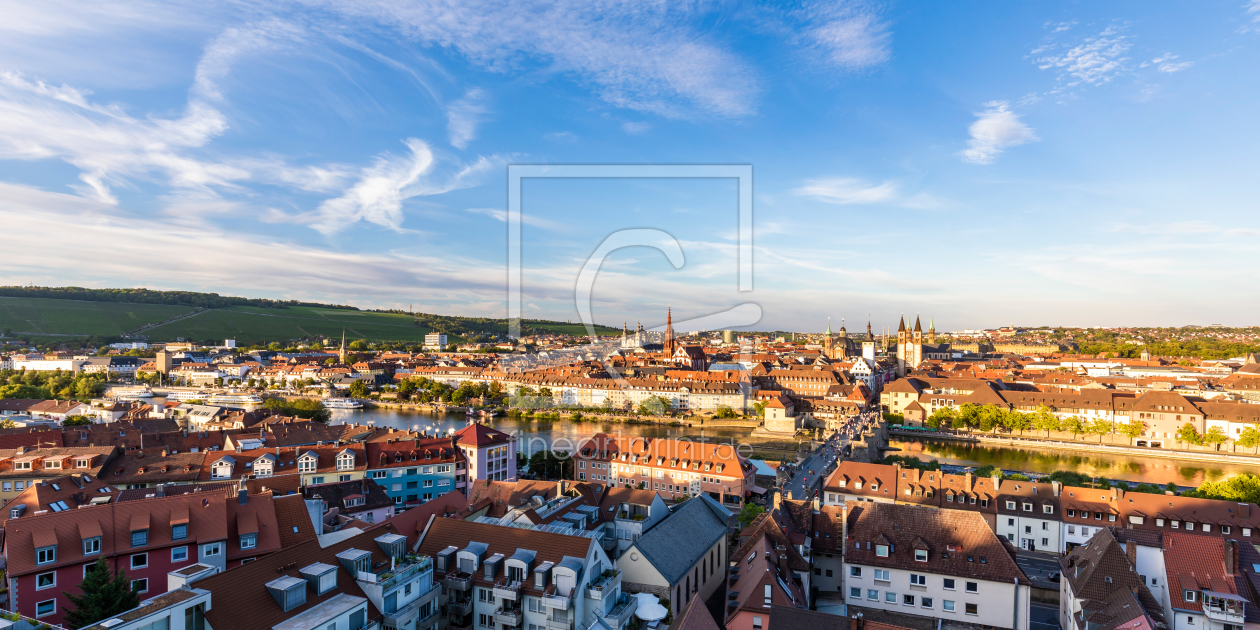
column 250, row 326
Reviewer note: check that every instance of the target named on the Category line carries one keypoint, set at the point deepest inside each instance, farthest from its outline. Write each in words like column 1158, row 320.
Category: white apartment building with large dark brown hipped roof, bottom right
column 938, row 564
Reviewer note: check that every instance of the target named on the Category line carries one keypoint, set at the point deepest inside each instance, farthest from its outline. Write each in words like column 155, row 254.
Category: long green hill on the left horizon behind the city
column 104, row 314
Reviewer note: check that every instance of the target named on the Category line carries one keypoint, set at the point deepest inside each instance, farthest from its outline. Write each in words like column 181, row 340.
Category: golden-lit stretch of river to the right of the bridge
column 1128, row 468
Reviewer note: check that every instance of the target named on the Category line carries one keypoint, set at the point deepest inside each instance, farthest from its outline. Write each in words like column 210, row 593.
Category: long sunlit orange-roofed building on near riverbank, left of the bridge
column 673, row 468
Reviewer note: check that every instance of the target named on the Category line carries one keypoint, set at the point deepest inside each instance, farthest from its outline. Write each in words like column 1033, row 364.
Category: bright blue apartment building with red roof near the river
column 415, row 472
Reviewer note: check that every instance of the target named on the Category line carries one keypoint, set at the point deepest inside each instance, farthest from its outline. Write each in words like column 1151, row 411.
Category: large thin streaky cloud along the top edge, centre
column 639, row 56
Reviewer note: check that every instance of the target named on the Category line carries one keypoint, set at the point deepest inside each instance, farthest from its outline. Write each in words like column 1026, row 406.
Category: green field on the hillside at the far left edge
column 81, row 318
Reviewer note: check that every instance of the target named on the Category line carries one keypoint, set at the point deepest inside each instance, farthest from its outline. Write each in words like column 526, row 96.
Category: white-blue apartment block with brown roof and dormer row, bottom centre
column 516, row 579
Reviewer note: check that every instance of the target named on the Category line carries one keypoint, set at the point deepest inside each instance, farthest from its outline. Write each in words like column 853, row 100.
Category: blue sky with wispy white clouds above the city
column 986, row 164
